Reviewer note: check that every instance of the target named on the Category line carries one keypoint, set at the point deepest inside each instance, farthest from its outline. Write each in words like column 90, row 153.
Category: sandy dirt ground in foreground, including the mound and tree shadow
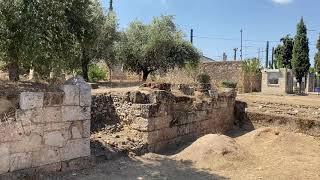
column 261, row 154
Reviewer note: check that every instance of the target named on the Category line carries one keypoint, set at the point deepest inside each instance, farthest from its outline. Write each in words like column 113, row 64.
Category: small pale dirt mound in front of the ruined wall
column 214, row 151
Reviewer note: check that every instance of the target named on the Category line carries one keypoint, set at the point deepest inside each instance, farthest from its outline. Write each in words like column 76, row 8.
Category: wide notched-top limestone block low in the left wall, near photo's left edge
column 27, row 144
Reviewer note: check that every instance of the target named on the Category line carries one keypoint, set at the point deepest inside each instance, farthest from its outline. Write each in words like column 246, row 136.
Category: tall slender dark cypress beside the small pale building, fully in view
column 300, row 58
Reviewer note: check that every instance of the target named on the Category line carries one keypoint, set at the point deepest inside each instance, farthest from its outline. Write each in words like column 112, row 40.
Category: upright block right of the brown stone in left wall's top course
column 71, row 95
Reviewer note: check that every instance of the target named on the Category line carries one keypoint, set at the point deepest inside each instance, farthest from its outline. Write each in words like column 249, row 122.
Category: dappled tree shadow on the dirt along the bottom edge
column 156, row 167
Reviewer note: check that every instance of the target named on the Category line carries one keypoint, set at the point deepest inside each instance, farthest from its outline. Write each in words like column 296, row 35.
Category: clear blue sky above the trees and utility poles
column 217, row 23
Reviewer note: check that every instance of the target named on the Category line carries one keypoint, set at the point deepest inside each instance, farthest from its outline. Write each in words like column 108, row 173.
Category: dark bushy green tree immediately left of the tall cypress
column 283, row 52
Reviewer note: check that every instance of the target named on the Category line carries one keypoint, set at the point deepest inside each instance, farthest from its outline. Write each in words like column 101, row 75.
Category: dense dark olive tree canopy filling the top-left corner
column 54, row 34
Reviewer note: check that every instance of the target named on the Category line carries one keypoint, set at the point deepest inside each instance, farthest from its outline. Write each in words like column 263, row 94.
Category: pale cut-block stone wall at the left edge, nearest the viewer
column 47, row 128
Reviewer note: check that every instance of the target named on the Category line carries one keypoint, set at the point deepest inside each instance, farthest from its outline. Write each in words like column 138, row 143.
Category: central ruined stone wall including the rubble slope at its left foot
column 158, row 117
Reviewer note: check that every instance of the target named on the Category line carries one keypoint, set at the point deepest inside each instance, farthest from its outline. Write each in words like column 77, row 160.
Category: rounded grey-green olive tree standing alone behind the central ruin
column 158, row 46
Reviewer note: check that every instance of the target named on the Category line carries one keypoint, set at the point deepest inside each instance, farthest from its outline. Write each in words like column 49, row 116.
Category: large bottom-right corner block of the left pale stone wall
column 75, row 149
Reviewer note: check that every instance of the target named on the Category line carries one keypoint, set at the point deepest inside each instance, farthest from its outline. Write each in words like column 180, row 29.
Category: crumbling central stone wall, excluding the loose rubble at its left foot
column 161, row 118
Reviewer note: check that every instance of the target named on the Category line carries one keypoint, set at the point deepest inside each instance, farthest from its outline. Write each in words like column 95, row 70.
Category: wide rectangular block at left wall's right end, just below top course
column 75, row 113
